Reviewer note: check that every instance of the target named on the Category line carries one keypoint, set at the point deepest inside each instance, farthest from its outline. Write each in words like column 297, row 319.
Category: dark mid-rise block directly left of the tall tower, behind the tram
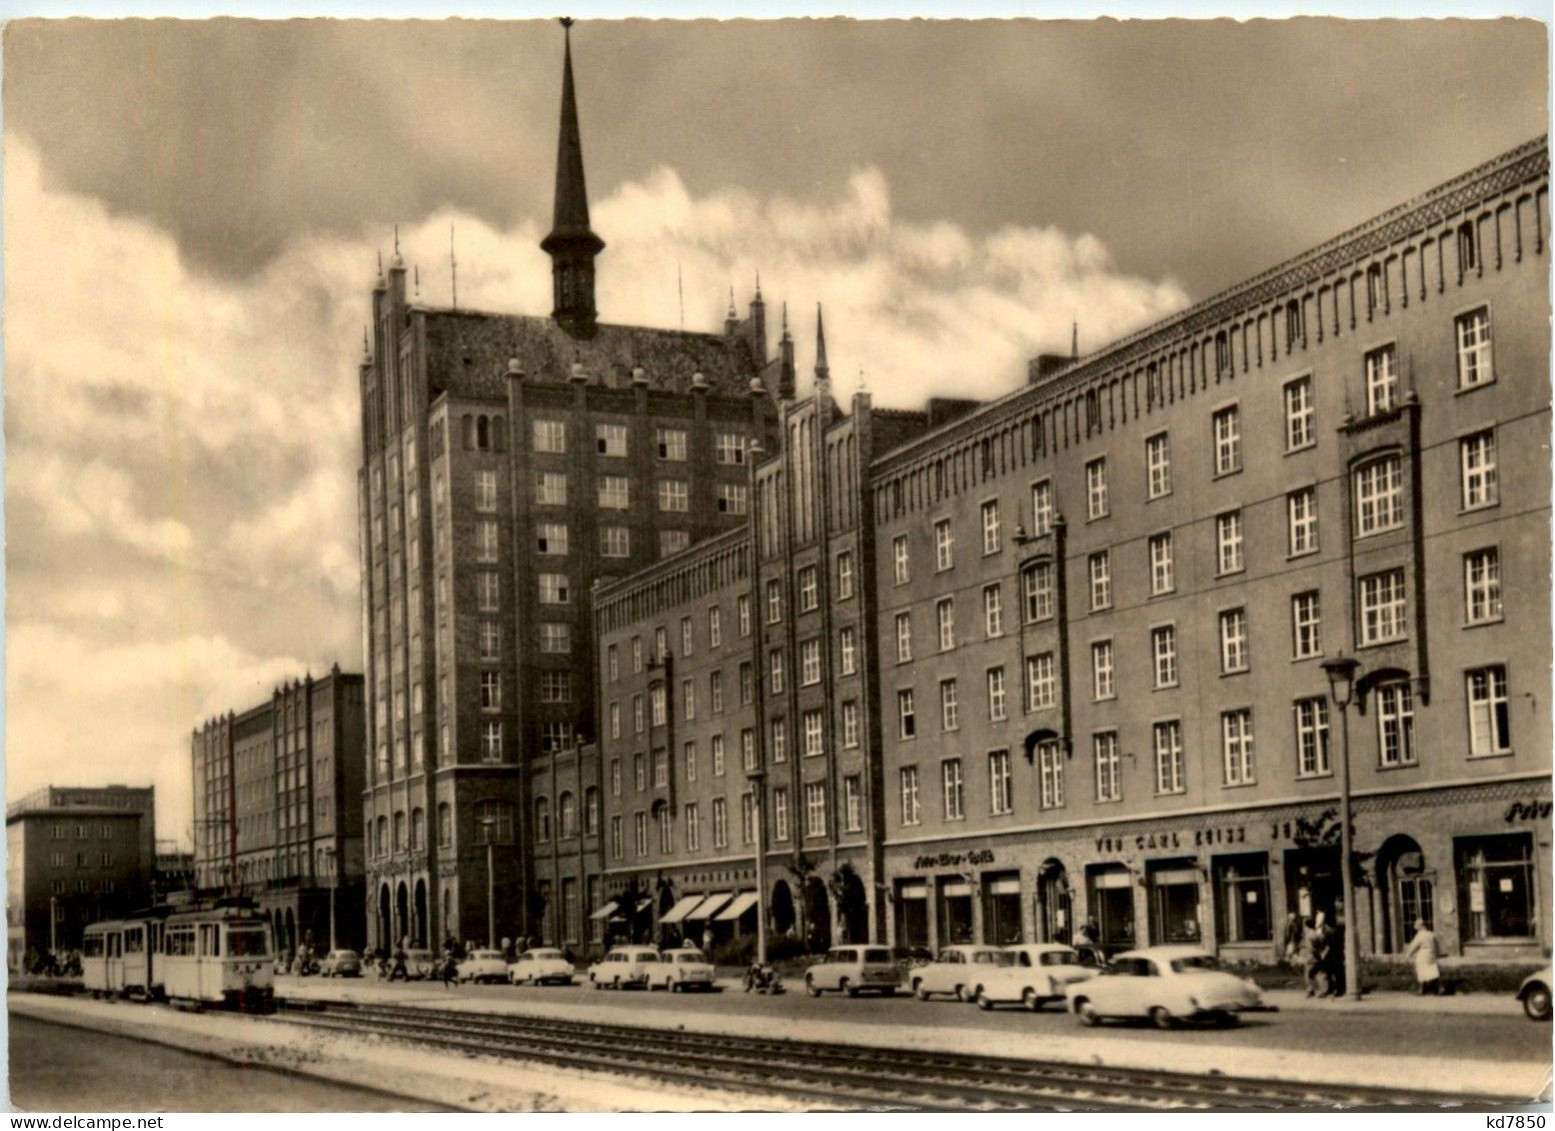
column 278, row 810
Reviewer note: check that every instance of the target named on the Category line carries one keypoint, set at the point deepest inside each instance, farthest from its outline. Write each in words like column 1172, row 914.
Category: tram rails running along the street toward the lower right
column 837, row 1077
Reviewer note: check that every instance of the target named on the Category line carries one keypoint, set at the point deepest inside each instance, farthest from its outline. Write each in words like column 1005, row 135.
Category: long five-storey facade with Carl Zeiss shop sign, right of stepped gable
column 1106, row 603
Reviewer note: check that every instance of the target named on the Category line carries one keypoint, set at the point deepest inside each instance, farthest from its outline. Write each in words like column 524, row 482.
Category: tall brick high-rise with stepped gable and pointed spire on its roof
column 509, row 463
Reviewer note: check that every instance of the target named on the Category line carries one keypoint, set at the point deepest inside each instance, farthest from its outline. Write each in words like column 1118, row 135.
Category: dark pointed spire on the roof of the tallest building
column 571, row 243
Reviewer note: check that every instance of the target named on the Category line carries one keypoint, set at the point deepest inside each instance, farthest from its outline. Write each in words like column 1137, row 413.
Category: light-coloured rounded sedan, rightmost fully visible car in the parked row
column 1165, row 984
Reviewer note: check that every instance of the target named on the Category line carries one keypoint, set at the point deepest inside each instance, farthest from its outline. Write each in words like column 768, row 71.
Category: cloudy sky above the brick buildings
column 192, row 214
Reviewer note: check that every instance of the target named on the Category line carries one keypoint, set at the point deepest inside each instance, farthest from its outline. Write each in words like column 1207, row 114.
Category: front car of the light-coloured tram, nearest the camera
column 222, row 958
